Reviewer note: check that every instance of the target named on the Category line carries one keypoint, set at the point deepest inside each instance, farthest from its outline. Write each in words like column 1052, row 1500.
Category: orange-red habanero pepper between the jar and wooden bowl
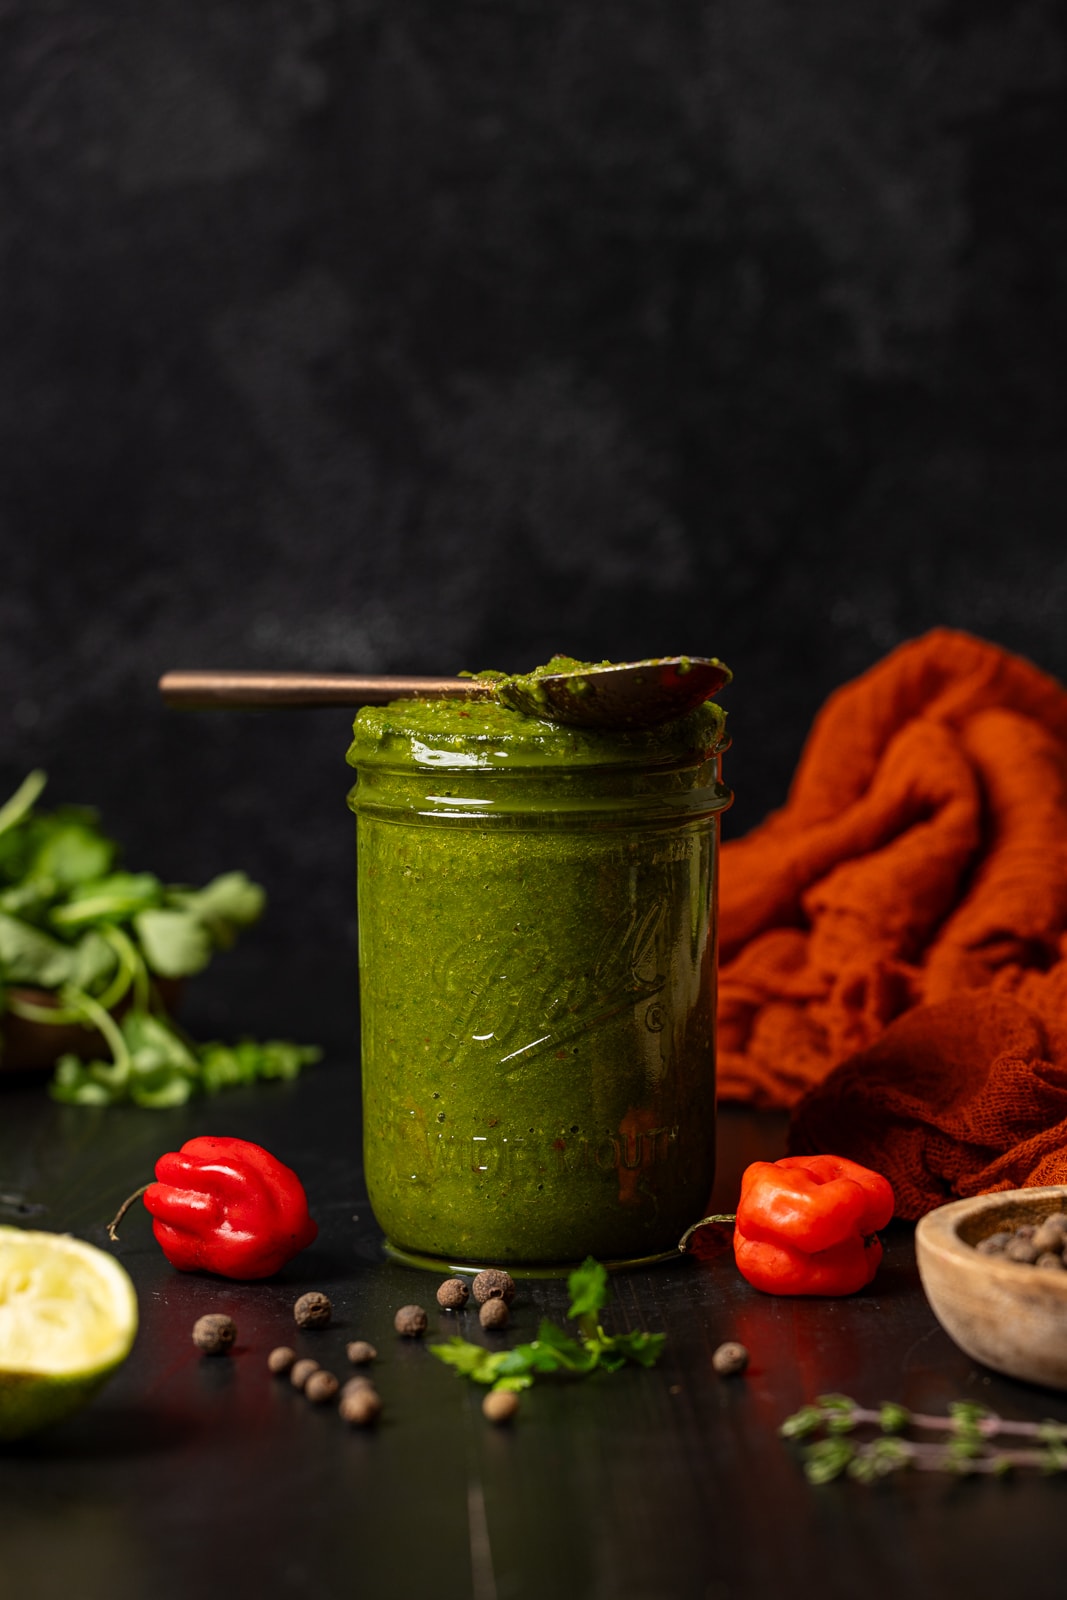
column 809, row 1225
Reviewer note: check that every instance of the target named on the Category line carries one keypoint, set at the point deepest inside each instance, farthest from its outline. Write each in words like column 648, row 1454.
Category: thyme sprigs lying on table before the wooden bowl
column 969, row 1444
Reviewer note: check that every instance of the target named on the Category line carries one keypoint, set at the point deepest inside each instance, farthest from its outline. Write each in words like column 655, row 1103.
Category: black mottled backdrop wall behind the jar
column 393, row 335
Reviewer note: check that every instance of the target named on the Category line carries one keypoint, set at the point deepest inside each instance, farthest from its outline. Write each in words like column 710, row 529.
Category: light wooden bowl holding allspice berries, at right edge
column 1005, row 1314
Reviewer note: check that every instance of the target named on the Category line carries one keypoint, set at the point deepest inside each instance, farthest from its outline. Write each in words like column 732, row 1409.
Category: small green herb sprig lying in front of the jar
column 554, row 1353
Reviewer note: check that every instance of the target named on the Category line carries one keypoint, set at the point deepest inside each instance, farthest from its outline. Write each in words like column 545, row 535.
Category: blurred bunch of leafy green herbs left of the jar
column 98, row 938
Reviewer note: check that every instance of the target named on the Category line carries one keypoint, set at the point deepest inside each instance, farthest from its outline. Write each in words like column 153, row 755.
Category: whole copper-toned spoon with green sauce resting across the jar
column 633, row 695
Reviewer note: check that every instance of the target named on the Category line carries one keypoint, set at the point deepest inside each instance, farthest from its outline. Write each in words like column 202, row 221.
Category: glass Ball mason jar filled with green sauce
column 537, row 927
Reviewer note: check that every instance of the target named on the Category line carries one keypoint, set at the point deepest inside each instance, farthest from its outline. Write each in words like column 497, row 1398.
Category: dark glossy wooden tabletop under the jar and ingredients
column 196, row 1476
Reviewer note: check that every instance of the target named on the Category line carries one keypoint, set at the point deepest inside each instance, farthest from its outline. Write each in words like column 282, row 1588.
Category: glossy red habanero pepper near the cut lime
column 228, row 1207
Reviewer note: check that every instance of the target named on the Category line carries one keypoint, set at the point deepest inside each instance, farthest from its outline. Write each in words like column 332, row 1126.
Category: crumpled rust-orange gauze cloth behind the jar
column 895, row 940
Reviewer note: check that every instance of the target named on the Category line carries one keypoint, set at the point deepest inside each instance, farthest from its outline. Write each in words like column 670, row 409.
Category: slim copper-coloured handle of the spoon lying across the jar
column 206, row 690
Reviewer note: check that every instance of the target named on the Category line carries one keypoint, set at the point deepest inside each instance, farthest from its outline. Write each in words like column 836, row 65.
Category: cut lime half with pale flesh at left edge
column 68, row 1319
